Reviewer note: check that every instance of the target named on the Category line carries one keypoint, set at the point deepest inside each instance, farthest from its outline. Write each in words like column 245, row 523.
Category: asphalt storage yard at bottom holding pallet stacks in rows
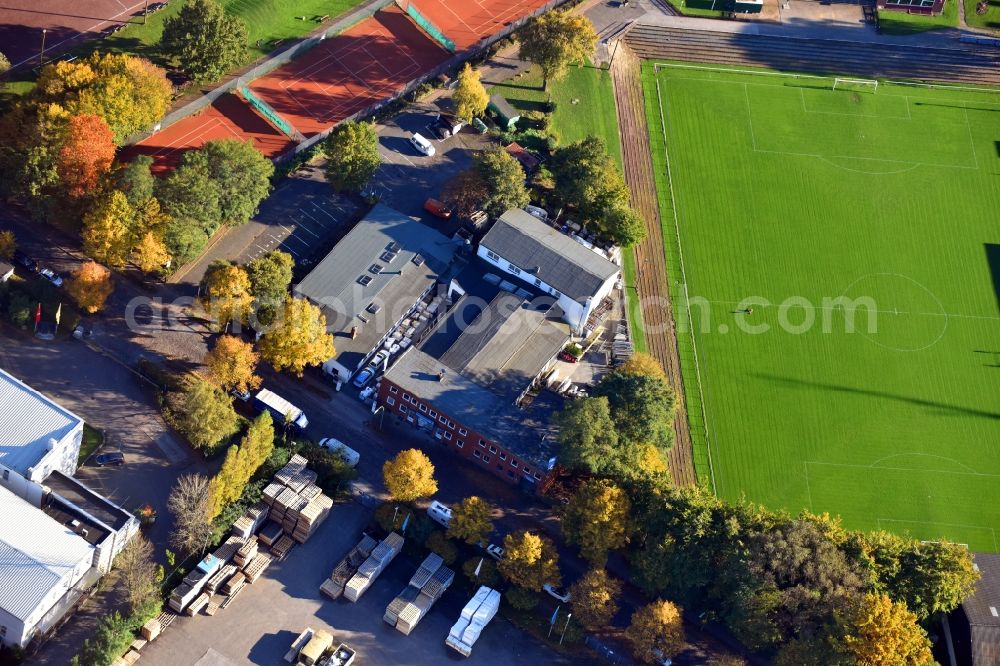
column 261, row 623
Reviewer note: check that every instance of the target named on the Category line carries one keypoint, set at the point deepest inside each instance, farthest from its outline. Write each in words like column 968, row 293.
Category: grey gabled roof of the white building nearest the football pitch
column 546, row 253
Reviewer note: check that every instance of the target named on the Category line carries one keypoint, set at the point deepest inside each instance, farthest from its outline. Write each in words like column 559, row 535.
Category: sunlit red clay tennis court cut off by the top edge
column 466, row 22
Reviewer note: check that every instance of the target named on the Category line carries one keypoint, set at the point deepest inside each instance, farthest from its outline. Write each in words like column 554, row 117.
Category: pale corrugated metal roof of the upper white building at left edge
column 28, row 420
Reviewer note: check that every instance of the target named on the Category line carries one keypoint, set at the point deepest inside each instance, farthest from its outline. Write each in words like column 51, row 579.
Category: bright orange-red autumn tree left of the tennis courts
column 86, row 154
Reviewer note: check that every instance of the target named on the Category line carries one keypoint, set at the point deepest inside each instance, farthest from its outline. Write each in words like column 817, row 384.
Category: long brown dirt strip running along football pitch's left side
column 650, row 260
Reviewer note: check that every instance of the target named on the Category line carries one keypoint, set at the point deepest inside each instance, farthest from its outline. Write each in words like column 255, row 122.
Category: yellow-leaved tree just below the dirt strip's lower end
column 596, row 519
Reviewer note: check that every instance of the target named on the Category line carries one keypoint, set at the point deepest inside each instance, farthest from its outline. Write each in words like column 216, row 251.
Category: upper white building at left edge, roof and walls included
column 37, row 436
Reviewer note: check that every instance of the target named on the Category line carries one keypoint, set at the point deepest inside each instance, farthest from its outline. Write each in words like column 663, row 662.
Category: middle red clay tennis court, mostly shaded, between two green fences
column 344, row 74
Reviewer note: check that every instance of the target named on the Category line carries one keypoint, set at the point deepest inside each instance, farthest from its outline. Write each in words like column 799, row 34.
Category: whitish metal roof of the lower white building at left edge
column 35, row 553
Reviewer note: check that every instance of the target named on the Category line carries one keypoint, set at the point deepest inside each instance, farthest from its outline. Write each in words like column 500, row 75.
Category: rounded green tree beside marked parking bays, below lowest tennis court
column 240, row 172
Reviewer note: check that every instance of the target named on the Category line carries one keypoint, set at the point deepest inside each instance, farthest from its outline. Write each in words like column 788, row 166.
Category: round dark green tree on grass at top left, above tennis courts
column 204, row 41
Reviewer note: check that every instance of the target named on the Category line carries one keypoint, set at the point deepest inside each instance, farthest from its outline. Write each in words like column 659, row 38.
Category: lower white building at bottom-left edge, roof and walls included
column 44, row 567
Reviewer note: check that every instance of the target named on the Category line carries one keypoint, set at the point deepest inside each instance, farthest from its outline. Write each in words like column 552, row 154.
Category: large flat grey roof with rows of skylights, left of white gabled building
column 387, row 259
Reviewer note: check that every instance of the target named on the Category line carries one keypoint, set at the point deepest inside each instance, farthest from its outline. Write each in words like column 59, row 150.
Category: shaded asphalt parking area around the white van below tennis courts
column 407, row 178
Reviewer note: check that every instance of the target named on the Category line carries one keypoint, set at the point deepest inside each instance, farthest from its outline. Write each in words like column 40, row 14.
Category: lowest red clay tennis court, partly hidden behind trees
column 227, row 118
